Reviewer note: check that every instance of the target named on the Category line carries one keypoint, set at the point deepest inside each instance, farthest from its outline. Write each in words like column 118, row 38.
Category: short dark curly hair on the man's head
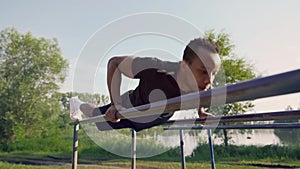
column 189, row 52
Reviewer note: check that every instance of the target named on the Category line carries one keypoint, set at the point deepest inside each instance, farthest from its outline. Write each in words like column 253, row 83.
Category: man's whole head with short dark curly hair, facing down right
column 200, row 64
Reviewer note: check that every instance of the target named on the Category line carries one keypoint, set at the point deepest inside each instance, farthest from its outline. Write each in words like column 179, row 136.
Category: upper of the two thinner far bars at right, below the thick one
column 282, row 115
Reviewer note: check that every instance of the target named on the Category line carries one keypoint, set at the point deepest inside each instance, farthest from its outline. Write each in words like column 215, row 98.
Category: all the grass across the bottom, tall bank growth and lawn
column 93, row 157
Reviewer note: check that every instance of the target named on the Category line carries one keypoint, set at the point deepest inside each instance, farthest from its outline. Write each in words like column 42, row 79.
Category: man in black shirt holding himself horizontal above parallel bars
column 158, row 80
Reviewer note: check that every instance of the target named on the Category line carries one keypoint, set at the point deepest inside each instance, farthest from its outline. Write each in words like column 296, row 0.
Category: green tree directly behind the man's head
column 235, row 69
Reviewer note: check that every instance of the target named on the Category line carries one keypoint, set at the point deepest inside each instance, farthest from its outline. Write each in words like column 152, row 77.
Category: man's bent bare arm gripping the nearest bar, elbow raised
column 115, row 68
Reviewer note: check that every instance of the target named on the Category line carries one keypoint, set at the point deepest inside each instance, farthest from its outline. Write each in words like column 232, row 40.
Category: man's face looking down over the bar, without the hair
column 202, row 70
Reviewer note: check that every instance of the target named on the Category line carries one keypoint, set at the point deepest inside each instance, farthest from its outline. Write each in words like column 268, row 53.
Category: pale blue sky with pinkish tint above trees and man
column 266, row 33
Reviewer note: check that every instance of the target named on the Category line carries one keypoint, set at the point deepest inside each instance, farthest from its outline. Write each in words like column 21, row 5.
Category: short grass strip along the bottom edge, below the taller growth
column 18, row 161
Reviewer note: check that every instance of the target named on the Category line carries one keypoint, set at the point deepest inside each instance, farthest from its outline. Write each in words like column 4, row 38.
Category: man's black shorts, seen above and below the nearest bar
column 137, row 124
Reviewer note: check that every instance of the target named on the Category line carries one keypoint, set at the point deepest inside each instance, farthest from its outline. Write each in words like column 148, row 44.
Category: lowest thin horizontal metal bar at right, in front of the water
column 250, row 126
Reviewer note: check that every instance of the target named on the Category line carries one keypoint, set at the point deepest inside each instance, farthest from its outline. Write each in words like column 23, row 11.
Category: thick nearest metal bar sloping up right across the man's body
column 280, row 84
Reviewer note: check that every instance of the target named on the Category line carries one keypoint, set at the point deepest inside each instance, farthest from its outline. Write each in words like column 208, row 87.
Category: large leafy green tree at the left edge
column 31, row 70
